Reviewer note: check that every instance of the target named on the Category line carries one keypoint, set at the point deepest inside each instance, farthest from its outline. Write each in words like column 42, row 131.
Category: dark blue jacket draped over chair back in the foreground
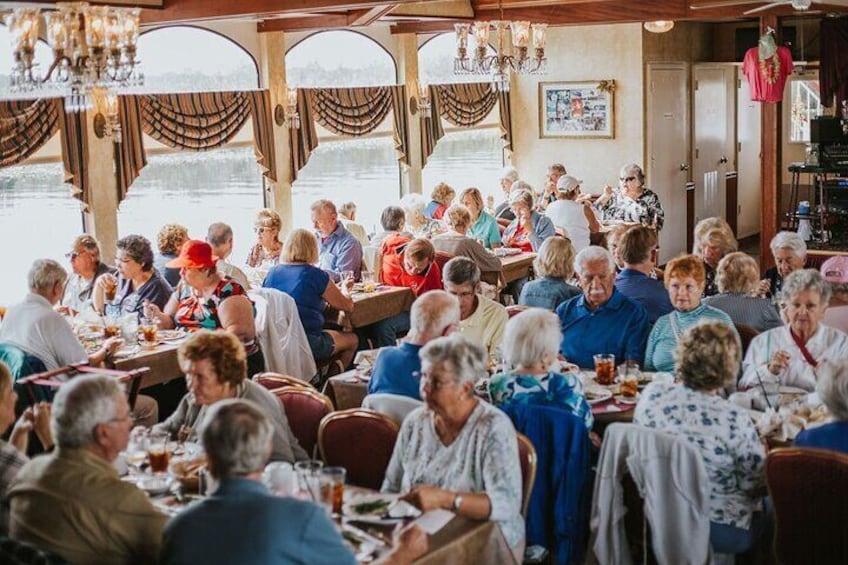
column 559, row 504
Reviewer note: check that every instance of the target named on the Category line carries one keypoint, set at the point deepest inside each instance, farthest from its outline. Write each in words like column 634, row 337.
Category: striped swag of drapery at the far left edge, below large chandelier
column 25, row 126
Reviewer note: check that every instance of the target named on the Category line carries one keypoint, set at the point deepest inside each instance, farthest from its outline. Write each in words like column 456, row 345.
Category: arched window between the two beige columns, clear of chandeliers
column 363, row 169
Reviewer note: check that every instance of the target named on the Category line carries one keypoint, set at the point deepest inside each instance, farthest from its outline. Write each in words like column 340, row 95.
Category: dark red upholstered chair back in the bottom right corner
column 809, row 490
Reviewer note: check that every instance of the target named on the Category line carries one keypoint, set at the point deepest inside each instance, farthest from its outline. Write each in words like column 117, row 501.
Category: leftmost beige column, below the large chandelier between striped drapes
column 101, row 220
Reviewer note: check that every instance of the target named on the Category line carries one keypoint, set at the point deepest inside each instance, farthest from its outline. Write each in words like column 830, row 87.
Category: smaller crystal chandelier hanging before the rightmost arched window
column 513, row 50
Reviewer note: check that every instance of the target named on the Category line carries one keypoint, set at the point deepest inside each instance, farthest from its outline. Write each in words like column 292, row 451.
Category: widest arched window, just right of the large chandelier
column 185, row 187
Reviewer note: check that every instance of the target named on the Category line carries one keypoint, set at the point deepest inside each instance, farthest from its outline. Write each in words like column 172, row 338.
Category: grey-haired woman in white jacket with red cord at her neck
column 790, row 355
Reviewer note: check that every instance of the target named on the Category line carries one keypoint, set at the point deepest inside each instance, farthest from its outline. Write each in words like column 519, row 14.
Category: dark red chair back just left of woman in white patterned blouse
column 361, row 441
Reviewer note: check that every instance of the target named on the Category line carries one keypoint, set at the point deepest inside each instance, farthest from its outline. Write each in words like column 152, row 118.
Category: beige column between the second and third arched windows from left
column 273, row 73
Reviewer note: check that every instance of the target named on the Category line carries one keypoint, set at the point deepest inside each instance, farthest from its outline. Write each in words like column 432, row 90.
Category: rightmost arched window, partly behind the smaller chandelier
column 463, row 157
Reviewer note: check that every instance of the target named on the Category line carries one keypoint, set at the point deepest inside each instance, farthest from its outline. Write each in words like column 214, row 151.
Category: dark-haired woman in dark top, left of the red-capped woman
column 137, row 283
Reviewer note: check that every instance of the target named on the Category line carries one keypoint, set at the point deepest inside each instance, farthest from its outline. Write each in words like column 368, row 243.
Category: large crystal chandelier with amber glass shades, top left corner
column 93, row 47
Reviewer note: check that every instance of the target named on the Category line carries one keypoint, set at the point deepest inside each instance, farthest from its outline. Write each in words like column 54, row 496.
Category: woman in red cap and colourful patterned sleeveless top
column 207, row 299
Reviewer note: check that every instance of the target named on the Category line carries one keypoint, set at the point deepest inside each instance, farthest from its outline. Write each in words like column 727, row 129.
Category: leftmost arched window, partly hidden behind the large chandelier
column 38, row 216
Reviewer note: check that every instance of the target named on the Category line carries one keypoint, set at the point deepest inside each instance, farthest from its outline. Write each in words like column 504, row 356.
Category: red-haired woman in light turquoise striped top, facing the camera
column 684, row 280
